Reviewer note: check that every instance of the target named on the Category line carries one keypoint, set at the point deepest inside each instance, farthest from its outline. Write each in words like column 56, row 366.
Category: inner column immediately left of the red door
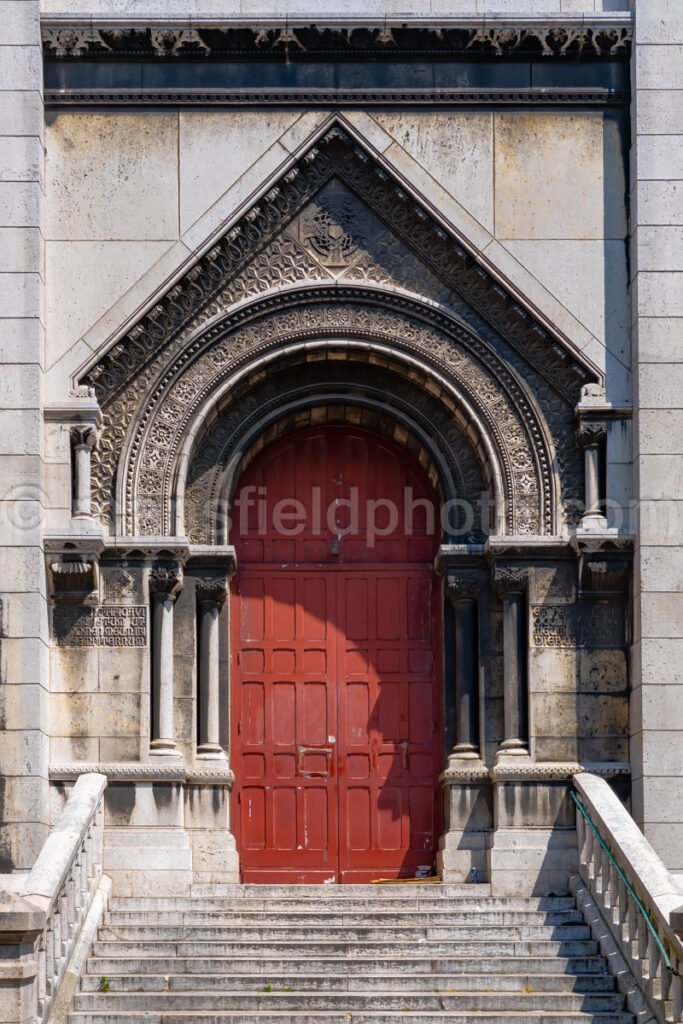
column 211, row 593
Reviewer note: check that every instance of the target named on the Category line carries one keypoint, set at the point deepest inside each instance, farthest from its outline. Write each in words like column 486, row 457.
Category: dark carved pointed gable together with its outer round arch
column 327, row 268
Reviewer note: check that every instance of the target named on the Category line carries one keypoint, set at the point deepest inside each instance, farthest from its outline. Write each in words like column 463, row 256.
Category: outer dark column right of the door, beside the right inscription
column 511, row 585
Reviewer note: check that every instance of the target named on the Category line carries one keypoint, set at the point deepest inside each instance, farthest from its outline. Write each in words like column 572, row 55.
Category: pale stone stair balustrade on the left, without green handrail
column 40, row 928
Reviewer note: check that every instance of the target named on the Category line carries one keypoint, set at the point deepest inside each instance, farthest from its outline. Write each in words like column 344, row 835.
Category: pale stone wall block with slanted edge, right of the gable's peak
column 456, row 149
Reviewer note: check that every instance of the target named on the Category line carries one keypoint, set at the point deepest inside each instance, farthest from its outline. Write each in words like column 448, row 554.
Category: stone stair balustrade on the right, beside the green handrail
column 637, row 899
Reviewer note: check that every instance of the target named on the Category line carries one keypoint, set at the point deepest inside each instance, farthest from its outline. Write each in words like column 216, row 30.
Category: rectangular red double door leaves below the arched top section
column 337, row 723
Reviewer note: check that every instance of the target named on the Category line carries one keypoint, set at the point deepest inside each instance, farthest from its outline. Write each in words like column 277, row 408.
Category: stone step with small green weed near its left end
column 310, row 983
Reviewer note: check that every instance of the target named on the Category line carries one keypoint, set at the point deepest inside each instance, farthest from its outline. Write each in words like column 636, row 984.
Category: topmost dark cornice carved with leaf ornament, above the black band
column 328, row 40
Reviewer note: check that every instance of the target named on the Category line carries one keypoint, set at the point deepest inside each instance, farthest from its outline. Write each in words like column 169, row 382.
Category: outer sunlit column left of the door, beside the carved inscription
column 165, row 585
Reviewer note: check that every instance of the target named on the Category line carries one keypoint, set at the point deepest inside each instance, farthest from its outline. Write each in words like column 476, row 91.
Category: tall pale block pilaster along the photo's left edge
column 24, row 638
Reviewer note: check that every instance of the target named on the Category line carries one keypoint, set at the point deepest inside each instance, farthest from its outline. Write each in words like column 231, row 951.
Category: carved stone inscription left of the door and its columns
column 109, row 627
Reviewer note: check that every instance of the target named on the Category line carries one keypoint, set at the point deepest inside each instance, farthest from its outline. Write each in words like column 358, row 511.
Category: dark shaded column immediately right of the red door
column 462, row 591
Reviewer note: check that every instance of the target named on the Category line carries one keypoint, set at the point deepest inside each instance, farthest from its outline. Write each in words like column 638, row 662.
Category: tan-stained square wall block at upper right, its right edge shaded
column 535, row 199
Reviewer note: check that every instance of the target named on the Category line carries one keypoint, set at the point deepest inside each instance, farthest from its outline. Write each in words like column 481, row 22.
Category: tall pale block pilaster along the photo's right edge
column 657, row 263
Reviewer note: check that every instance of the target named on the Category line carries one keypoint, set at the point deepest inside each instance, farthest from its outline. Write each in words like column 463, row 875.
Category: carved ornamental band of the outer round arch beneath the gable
column 475, row 371
